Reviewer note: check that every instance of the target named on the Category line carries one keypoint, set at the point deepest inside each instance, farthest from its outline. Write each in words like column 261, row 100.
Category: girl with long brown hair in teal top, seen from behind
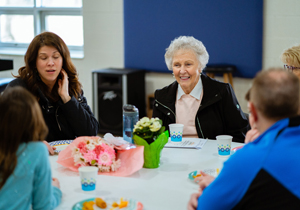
column 25, row 173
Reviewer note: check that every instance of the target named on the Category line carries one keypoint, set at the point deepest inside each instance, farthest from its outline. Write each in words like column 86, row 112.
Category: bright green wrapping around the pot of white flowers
column 152, row 151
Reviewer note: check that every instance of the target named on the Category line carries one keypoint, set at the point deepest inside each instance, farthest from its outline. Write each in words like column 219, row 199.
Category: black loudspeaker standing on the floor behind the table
column 112, row 88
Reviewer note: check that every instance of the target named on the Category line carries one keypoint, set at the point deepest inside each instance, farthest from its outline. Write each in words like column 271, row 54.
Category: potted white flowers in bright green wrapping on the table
column 152, row 135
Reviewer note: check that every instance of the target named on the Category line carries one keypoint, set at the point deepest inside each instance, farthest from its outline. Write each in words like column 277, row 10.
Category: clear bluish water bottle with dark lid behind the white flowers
column 130, row 118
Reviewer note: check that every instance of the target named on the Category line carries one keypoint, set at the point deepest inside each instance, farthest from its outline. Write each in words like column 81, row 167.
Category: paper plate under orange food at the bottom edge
column 132, row 204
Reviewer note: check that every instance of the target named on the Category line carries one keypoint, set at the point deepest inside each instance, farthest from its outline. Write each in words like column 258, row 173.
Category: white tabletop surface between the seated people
column 166, row 187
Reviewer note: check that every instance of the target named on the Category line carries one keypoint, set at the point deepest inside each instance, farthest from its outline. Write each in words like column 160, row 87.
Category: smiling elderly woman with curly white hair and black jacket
column 206, row 107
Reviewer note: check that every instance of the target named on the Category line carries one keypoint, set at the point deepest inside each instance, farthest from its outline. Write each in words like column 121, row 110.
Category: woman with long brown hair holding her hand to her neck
column 51, row 77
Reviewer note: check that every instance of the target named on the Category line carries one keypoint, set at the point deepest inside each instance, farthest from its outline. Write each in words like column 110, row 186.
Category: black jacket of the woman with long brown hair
column 65, row 121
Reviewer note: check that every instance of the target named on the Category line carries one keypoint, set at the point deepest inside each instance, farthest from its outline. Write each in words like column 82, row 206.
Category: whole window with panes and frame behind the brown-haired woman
column 21, row 20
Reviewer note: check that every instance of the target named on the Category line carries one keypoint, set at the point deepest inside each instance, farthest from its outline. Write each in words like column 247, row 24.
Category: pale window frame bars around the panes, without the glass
column 39, row 21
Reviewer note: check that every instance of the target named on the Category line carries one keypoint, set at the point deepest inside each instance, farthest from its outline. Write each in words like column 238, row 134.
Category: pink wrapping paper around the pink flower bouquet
column 132, row 158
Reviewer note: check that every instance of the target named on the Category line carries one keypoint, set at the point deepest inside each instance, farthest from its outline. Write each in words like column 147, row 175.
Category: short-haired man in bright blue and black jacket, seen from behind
column 264, row 174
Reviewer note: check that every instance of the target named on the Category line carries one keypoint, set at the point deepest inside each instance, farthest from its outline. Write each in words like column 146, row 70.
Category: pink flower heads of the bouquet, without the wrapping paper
column 98, row 153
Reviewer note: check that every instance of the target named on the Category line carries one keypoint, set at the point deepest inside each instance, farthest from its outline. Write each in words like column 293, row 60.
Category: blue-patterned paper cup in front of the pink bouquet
column 88, row 176
